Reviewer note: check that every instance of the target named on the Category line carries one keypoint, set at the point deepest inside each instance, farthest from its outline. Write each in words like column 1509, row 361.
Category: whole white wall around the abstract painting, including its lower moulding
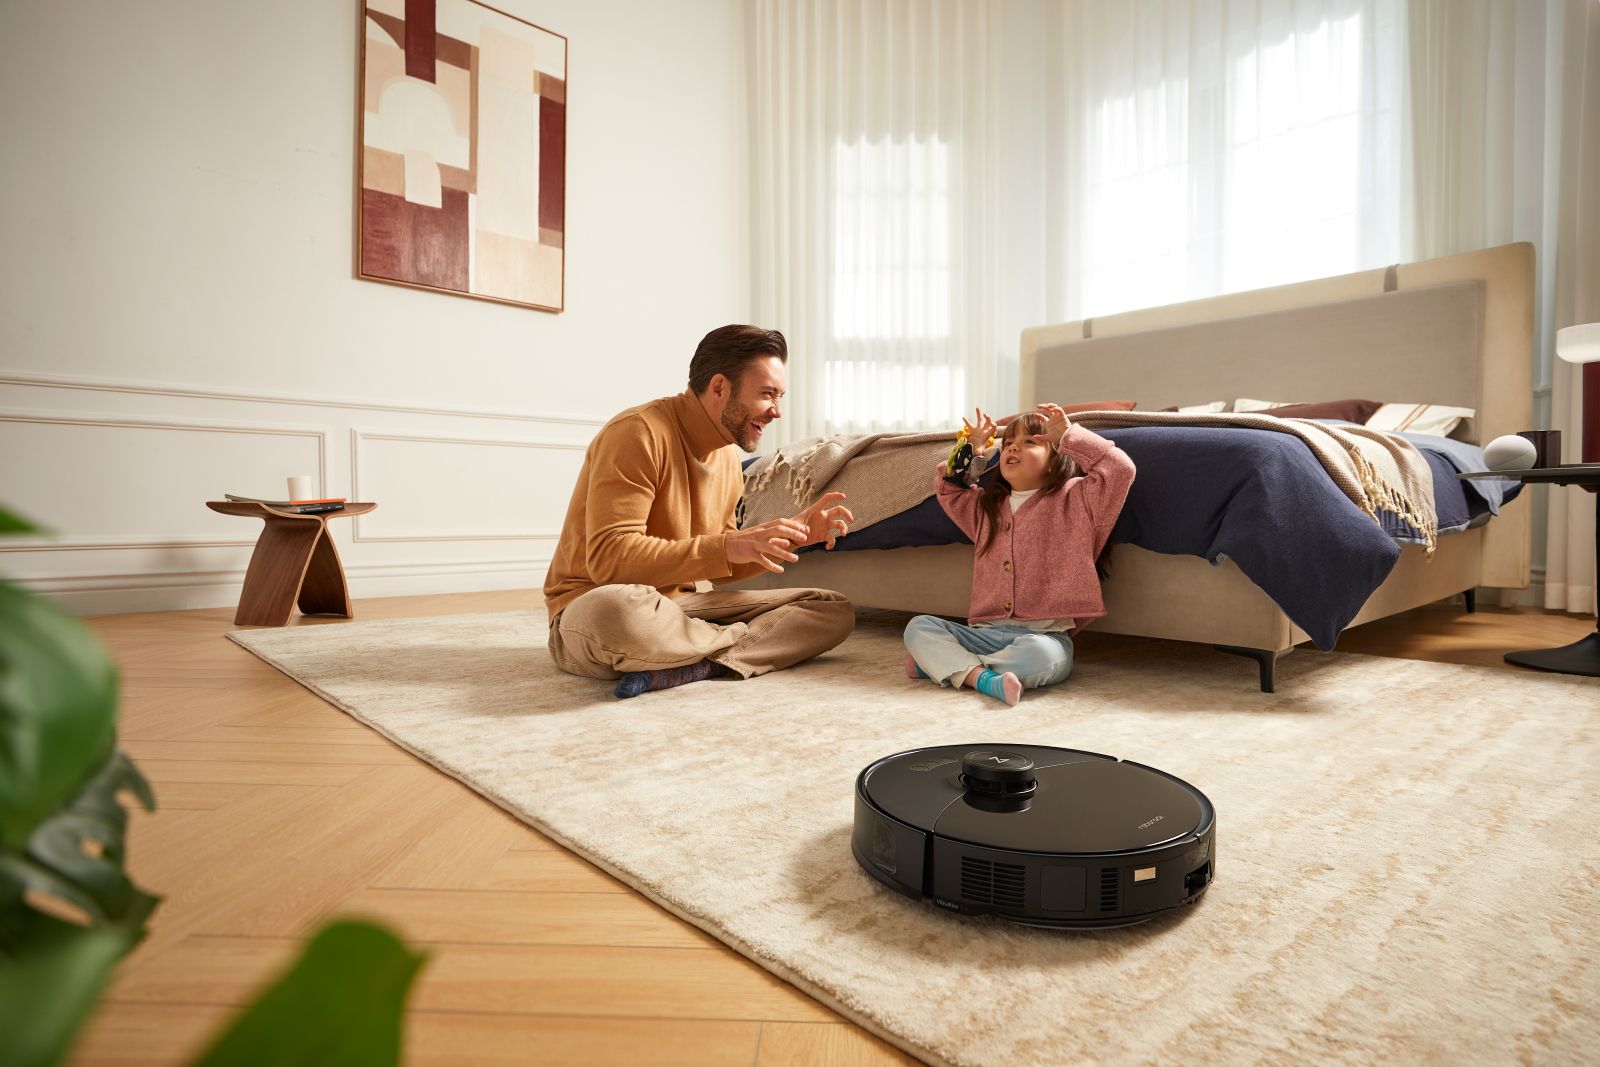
column 180, row 316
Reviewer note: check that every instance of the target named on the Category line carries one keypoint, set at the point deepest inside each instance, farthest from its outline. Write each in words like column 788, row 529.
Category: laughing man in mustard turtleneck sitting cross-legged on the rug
column 652, row 524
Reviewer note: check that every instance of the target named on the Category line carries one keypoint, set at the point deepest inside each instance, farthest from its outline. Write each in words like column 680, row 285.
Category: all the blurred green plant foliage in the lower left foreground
column 68, row 909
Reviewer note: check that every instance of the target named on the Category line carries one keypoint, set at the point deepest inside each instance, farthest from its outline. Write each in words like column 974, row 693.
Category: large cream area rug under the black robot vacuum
column 1407, row 853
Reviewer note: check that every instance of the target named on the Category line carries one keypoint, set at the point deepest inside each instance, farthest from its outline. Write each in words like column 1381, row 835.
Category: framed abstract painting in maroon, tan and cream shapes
column 463, row 167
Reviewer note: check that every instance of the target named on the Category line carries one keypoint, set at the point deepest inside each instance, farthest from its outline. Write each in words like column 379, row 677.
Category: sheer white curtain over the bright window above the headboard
column 1212, row 146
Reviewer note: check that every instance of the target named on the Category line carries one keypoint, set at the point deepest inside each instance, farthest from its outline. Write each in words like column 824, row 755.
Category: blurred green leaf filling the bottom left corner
column 47, row 996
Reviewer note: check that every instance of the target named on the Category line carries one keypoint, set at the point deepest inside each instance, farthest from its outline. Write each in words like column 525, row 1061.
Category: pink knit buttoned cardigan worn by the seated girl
column 1041, row 564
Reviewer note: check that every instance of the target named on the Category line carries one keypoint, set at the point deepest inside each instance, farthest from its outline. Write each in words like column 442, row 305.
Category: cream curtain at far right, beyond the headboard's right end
column 1503, row 143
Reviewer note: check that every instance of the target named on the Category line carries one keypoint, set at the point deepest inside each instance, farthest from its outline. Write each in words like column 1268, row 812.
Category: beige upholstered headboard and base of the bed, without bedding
column 1455, row 332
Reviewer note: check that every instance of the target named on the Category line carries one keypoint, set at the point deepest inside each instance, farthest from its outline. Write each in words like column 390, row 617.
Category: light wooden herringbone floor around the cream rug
column 279, row 812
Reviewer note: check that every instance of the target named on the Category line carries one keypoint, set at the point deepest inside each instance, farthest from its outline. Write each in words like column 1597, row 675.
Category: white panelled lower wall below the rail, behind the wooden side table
column 470, row 502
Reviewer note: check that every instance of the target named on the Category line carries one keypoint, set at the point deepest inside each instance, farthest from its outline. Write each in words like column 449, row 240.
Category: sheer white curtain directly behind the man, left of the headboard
column 874, row 209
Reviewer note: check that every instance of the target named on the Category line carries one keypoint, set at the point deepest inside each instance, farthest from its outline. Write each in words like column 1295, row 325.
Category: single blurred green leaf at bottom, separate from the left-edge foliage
column 343, row 1002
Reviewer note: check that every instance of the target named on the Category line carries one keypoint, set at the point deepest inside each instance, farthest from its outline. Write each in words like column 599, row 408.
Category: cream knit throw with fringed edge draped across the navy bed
column 886, row 474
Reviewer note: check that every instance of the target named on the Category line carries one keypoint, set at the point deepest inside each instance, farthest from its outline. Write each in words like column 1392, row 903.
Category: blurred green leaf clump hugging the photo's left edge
column 63, row 829
